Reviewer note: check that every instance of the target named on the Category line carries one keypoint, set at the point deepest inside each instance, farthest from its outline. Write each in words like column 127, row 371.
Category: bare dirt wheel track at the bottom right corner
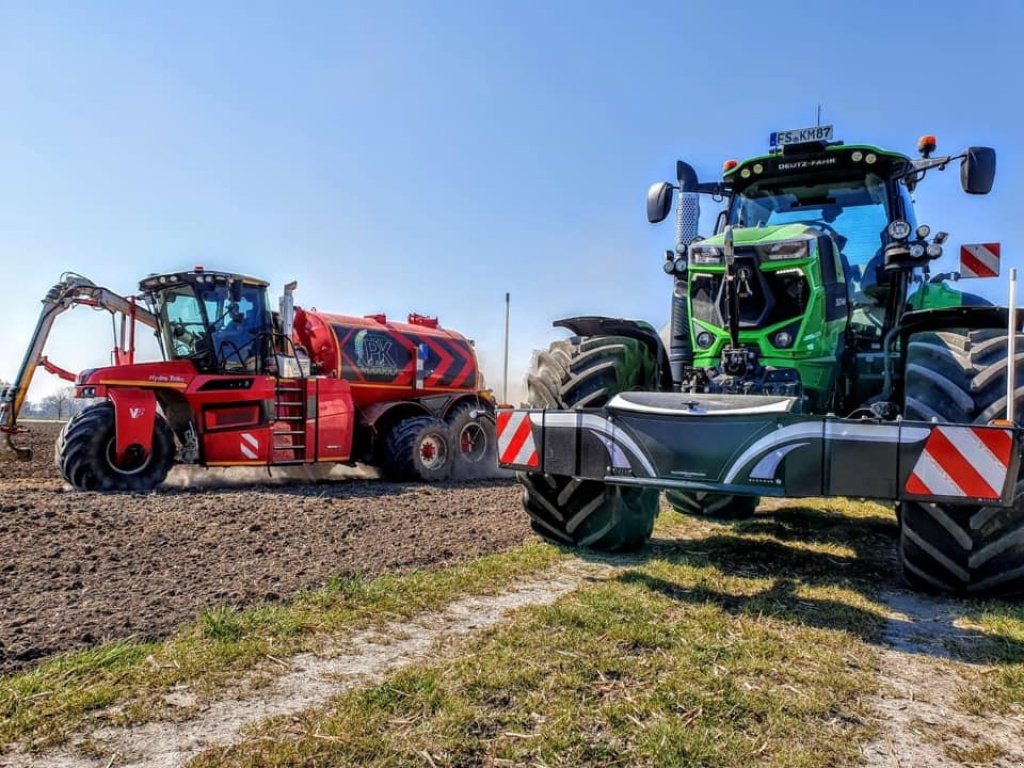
column 920, row 678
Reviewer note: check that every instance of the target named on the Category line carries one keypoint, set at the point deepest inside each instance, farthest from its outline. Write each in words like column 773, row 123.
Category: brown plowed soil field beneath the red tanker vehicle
column 77, row 569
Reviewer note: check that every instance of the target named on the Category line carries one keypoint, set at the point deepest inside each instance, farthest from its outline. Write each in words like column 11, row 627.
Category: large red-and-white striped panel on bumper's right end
column 963, row 461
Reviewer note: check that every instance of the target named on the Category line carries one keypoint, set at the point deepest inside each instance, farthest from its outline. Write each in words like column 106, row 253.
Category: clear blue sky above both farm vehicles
column 432, row 156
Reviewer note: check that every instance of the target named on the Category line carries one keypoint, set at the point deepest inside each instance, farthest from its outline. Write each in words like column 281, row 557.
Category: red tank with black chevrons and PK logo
column 386, row 361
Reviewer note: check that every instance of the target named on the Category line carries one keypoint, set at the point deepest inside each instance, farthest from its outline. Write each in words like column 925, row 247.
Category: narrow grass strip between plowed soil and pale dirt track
column 45, row 705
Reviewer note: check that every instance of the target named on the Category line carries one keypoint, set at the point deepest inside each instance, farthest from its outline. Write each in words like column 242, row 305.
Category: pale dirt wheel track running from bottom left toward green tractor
column 312, row 680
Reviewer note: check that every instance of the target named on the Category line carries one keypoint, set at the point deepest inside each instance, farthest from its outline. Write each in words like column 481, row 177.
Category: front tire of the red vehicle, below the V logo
column 86, row 454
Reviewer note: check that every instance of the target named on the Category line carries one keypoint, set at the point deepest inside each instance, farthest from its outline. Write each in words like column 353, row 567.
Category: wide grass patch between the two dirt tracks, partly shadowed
column 717, row 646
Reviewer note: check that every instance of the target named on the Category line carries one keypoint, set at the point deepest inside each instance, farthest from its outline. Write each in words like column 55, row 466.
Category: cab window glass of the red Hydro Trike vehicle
column 203, row 323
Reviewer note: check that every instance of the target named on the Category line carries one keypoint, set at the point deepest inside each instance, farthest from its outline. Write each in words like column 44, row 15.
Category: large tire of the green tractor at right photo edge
column 961, row 378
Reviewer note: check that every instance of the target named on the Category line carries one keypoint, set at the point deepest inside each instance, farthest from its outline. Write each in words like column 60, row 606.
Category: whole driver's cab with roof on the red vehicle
column 220, row 322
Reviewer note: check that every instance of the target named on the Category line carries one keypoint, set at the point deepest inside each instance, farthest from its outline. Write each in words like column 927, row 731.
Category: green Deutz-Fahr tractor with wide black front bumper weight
column 812, row 353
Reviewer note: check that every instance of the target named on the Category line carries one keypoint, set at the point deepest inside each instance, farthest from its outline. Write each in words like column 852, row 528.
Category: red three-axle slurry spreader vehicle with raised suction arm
column 243, row 386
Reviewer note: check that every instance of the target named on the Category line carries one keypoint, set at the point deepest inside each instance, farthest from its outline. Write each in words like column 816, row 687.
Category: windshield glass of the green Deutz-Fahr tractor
column 855, row 211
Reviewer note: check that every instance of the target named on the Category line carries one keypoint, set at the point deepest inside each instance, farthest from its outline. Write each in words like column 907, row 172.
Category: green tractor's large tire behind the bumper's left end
column 587, row 373
